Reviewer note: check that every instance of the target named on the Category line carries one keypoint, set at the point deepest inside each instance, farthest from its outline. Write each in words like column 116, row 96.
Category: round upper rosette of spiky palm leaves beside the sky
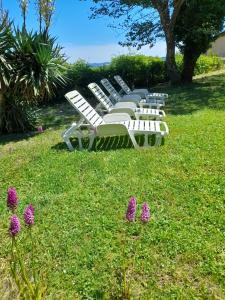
column 38, row 66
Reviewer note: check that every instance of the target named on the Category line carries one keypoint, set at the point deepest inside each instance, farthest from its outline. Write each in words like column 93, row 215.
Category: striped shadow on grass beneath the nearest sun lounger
column 106, row 144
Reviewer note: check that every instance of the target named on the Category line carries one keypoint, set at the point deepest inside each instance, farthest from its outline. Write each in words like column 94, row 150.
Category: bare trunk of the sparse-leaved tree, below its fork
column 172, row 70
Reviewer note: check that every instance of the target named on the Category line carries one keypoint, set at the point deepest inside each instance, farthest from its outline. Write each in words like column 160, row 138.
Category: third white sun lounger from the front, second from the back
column 150, row 103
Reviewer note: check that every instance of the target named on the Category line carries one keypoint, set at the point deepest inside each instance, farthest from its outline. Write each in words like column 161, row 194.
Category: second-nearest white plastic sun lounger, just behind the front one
column 125, row 107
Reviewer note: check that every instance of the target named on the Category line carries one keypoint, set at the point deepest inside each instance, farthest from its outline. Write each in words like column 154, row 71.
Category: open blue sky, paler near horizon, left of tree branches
column 81, row 37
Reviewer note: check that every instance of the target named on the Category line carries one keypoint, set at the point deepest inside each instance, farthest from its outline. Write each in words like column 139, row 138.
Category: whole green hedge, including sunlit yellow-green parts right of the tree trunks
column 136, row 70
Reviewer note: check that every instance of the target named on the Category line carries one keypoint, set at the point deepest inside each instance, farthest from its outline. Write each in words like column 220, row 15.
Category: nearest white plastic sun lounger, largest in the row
column 110, row 125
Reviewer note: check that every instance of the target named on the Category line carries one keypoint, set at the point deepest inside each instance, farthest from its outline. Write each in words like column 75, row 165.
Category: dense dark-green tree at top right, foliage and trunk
column 194, row 37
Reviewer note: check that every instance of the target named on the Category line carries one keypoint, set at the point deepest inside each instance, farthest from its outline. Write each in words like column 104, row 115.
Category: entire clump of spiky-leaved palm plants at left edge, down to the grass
column 34, row 69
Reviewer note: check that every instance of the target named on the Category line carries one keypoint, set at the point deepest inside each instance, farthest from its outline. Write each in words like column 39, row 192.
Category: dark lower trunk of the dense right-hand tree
column 188, row 68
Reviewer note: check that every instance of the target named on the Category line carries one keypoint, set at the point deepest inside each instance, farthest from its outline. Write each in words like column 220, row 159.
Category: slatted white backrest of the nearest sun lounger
column 84, row 108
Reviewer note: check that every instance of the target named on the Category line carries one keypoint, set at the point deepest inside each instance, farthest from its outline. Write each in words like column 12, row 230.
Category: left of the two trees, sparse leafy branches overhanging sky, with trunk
column 145, row 21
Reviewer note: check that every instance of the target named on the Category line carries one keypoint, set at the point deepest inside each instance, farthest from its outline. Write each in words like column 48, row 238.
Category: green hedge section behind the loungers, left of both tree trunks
column 137, row 70
